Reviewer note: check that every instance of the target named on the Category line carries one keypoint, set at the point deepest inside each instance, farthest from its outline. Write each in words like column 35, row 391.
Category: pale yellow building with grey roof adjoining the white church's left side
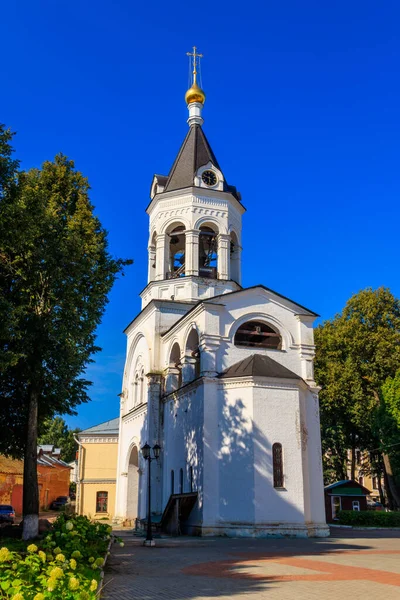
column 97, row 470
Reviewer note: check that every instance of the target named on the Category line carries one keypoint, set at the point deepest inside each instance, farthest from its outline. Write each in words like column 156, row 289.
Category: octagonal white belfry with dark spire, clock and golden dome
column 195, row 219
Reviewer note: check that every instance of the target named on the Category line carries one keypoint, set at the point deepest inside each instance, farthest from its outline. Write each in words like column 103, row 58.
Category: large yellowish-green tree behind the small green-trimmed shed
column 356, row 352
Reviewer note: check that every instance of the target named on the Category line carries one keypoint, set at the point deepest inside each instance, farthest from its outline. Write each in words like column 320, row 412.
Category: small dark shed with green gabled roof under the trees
column 344, row 495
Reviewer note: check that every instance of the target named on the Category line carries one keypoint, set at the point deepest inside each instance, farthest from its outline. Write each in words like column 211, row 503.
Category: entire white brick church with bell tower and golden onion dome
column 219, row 376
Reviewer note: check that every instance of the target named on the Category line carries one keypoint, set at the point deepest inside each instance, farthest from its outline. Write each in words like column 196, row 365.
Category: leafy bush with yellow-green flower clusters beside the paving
column 66, row 564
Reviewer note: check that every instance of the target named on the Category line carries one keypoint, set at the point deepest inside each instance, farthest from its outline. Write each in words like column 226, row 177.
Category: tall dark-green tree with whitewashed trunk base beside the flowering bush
column 55, row 275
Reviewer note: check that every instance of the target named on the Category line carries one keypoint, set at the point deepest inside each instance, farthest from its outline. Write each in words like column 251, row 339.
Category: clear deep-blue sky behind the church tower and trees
column 302, row 112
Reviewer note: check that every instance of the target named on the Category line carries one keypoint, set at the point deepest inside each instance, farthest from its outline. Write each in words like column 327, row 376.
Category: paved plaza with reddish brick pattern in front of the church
column 357, row 565
